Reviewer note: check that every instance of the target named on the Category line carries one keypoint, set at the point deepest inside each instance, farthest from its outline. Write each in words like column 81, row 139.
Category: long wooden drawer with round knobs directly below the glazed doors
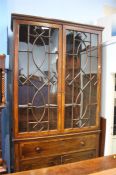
column 57, row 146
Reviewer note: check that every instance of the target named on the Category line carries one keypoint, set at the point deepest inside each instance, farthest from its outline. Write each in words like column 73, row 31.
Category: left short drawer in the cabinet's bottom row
column 40, row 163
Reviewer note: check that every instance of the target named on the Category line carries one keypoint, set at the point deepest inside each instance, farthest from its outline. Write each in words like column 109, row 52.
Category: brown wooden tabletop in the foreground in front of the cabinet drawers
column 79, row 168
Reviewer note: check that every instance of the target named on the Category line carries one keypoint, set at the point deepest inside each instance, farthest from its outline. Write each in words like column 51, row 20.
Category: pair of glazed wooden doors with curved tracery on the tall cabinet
column 55, row 78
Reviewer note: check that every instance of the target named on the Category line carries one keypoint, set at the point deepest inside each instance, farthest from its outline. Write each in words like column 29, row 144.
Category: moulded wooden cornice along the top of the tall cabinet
column 23, row 17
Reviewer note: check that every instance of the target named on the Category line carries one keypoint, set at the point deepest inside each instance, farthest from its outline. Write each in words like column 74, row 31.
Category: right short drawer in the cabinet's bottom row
column 77, row 156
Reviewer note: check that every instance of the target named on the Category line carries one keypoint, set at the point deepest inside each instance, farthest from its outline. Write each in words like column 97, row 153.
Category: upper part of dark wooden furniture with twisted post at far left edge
column 2, row 81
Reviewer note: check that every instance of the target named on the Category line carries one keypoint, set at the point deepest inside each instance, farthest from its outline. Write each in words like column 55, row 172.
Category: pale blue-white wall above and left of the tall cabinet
column 84, row 11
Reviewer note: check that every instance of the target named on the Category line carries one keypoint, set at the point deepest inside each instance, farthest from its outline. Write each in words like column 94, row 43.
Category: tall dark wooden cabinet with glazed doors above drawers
column 40, row 148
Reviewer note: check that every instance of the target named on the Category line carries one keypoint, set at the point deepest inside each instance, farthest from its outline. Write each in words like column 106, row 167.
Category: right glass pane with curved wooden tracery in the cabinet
column 80, row 79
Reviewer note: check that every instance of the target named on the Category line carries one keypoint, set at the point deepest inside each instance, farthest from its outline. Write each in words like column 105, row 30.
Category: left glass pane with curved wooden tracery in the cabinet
column 38, row 57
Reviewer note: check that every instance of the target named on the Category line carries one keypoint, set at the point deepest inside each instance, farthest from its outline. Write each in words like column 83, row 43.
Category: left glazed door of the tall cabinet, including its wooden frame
column 37, row 76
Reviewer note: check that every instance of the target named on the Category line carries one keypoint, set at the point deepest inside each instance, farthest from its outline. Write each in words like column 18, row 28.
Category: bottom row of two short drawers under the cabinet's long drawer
column 56, row 160
